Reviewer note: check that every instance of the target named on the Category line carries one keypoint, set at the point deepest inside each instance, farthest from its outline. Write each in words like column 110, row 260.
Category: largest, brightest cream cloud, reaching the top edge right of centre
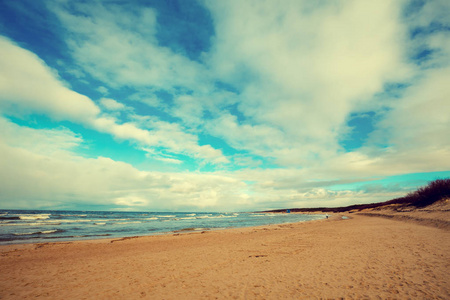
column 307, row 66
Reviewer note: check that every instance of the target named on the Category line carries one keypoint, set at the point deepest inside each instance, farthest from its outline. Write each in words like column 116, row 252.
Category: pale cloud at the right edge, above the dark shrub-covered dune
column 421, row 118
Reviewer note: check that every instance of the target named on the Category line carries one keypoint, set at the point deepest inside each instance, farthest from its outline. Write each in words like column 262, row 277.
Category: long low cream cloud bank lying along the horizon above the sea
column 60, row 178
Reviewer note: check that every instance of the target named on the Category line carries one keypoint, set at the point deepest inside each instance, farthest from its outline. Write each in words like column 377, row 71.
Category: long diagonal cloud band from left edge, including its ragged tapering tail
column 46, row 94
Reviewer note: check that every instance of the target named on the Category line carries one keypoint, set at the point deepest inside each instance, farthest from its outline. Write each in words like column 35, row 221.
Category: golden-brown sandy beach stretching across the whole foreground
column 358, row 258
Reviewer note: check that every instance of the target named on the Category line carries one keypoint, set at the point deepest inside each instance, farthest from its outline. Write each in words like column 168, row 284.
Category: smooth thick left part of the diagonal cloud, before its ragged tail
column 28, row 85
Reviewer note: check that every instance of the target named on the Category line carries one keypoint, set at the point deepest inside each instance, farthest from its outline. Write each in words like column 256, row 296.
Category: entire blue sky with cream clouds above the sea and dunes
column 221, row 105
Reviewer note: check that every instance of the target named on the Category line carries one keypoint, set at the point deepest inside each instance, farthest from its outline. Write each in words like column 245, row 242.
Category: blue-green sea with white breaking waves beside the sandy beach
column 21, row 226
